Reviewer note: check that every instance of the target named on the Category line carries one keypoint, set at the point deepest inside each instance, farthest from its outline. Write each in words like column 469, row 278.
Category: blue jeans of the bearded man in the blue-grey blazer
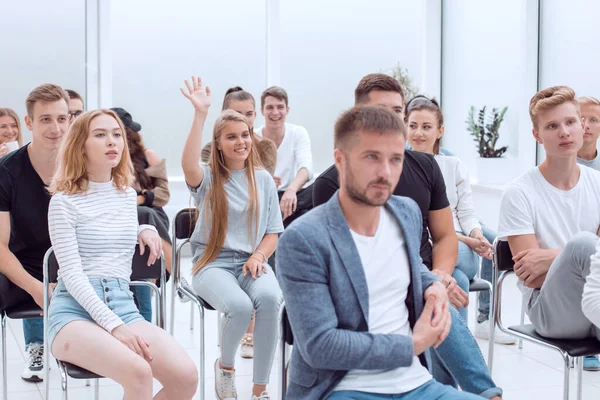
column 431, row 390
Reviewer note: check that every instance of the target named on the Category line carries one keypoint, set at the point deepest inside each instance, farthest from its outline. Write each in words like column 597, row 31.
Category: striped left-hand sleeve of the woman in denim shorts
column 62, row 220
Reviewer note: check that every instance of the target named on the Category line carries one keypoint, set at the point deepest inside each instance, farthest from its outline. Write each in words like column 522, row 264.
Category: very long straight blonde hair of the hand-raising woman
column 217, row 204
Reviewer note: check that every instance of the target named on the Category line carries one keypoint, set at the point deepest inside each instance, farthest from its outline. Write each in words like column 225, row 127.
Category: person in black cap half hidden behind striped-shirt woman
column 152, row 187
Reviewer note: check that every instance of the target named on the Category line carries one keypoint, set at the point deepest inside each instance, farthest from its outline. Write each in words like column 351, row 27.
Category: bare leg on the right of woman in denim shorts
column 170, row 364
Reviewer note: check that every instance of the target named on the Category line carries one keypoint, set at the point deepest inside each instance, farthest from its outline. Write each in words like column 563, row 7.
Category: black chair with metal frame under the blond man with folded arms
column 572, row 351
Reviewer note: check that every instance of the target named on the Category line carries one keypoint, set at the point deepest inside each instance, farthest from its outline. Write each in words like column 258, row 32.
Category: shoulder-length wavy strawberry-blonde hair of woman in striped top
column 71, row 173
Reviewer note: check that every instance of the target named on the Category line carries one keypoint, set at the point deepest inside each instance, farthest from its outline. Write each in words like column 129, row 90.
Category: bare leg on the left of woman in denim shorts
column 88, row 346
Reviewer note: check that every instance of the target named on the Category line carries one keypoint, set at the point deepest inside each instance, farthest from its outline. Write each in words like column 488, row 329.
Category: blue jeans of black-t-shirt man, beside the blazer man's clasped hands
column 458, row 360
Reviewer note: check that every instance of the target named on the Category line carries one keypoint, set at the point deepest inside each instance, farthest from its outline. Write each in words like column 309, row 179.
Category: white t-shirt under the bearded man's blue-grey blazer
column 387, row 272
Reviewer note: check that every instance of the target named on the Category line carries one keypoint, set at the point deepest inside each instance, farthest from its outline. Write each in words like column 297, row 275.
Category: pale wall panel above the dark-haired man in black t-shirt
column 328, row 46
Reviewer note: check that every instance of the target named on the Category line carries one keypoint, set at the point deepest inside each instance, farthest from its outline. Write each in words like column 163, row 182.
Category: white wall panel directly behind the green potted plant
column 487, row 60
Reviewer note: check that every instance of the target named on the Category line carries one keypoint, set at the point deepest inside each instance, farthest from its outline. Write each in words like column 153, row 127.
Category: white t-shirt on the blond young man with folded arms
column 531, row 205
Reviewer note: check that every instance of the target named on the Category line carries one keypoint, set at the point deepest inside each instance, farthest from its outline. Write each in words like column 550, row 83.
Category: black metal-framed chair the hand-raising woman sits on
column 183, row 227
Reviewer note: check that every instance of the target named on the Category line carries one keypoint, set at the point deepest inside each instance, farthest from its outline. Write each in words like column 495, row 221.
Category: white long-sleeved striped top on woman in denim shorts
column 94, row 235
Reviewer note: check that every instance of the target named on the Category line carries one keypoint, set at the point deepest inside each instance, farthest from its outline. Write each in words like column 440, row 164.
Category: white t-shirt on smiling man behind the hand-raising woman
column 293, row 153
